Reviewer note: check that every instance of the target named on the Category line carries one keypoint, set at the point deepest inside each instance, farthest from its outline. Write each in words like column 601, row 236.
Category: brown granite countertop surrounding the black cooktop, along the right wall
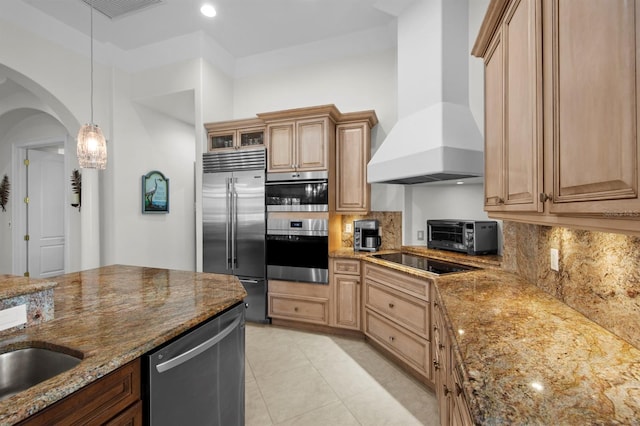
column 526, row 357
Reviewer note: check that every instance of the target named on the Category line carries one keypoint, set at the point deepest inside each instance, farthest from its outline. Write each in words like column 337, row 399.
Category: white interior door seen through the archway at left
column 45, row 213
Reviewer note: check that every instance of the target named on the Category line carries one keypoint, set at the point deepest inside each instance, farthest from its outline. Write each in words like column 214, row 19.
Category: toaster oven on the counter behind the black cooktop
column 465, row 236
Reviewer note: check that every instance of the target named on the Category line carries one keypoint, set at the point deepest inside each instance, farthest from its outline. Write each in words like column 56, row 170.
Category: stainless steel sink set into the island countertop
column 22, row 368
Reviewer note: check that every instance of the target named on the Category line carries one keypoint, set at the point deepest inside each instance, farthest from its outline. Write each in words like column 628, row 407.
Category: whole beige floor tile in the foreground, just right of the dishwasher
column 295, row 392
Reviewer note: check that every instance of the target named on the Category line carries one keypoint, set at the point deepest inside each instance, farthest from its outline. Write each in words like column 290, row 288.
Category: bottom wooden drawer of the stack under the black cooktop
column 408, row 346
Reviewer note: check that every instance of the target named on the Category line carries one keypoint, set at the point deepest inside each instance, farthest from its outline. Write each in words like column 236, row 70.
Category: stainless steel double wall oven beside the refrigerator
column 297, row 231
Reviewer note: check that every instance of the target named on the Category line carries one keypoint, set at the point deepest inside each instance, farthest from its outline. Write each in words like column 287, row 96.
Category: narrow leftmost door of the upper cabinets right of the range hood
column 494, row 125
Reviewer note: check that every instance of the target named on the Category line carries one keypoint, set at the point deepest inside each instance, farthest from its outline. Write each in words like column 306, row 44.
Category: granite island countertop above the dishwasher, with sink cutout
column 111, row 316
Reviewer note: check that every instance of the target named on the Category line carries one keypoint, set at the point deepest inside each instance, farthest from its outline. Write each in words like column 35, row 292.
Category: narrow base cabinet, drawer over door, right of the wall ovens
column 344, row 277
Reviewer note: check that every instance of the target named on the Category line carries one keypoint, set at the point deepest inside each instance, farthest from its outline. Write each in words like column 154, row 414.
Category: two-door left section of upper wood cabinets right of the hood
column 513, row 105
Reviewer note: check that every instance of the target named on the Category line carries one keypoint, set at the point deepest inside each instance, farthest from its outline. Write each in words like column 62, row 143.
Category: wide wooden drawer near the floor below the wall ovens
column 299, row 308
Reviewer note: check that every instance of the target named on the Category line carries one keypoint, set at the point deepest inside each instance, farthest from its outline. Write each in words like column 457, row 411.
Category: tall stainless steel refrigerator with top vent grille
column 233, row 214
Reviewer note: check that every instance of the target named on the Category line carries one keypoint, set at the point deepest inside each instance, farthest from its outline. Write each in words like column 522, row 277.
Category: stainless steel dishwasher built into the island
column 198, row 378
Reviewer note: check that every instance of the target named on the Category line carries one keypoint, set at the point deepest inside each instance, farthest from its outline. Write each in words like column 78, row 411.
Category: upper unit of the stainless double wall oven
column 299, row 192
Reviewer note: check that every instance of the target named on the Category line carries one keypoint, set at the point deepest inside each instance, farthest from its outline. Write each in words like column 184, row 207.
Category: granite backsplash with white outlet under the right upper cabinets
column 599, row 273
